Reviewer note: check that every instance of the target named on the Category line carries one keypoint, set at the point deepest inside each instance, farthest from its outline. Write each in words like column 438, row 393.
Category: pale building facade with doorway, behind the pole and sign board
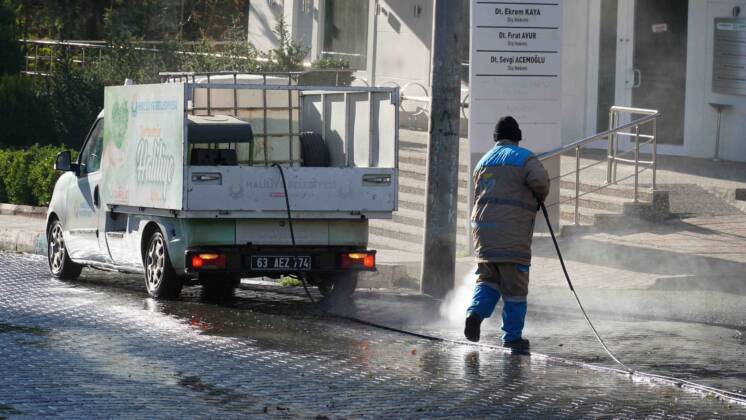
column 658, row 54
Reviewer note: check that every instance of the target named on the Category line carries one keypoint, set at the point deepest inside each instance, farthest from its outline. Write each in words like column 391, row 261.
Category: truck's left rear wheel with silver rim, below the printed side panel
column 161, row 280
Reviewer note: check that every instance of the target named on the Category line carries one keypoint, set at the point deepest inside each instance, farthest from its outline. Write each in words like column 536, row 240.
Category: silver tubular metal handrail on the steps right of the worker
column 613, row 156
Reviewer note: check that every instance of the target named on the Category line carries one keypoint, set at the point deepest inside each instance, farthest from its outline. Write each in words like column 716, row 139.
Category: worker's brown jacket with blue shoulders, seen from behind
column 508, row 181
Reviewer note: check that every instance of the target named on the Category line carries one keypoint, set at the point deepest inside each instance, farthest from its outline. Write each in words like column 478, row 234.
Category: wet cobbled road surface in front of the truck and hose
column 100, row 347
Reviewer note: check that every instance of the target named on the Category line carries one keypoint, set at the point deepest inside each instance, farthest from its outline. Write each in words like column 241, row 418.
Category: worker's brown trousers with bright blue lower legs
column 510, row 281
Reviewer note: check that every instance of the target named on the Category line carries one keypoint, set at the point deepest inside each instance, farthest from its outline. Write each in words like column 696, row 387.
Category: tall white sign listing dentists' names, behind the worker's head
column 515, row 70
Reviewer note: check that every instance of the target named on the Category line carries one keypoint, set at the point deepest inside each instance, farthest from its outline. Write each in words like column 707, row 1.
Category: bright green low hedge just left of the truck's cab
column 28, row 176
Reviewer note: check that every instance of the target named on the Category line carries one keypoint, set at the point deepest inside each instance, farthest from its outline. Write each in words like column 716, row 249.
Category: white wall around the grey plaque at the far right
column 700, row 117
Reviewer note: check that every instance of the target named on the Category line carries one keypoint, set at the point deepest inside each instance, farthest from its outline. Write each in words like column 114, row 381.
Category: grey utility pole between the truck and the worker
column 439, row 256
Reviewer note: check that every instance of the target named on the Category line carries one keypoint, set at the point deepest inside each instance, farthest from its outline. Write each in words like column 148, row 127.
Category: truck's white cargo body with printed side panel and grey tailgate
column 146, row 159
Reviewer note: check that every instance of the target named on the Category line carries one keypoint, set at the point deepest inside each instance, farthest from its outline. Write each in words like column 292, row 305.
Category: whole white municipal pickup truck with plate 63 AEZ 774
column 207, row 182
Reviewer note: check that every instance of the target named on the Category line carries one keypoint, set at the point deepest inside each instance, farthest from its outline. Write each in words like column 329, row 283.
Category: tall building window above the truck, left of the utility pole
column 346, row 31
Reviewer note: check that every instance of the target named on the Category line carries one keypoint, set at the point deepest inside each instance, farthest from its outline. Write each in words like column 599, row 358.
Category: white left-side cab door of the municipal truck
column 84, row 201
